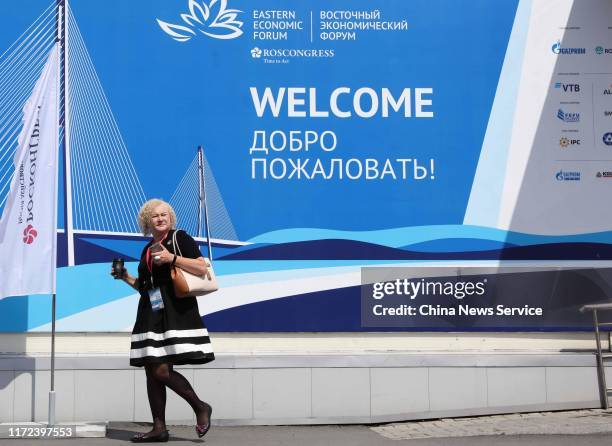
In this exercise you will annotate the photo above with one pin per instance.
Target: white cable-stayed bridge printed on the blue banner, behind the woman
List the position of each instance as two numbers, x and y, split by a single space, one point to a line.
102 192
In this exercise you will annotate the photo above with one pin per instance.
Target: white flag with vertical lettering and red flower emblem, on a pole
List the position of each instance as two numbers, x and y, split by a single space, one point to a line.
28 225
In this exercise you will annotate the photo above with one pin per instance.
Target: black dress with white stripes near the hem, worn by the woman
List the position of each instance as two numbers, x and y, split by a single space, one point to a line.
175 334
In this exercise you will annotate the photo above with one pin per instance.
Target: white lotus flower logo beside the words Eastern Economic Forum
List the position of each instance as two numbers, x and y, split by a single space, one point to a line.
213 20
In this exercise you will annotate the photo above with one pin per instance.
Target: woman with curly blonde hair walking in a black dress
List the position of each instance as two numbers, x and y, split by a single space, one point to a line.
168 330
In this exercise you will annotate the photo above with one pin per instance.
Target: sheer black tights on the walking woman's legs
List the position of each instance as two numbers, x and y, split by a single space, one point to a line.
158 377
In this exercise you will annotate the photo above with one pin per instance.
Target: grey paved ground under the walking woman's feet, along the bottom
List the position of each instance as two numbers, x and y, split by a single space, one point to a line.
587 427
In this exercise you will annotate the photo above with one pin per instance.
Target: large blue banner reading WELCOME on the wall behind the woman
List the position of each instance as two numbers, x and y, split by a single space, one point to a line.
336 135
